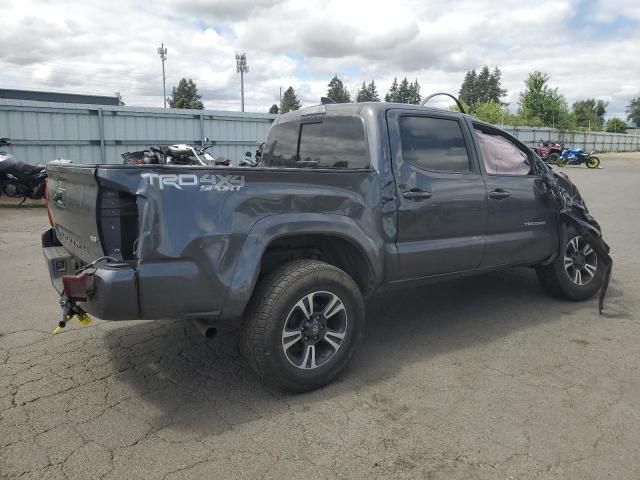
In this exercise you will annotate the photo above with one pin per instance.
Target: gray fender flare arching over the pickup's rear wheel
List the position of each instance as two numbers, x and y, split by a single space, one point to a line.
270 228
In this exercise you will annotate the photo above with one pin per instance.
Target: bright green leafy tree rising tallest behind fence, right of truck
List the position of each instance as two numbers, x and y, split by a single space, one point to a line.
542 105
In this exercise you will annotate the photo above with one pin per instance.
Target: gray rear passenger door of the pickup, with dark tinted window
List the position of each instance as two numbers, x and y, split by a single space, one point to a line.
442 204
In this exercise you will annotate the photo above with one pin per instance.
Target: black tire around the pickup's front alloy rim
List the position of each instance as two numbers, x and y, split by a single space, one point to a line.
560 282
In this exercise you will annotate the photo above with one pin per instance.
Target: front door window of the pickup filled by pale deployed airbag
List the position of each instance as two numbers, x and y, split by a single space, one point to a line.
501 156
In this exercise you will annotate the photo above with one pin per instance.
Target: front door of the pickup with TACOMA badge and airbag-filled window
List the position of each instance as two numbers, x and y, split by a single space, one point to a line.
523 222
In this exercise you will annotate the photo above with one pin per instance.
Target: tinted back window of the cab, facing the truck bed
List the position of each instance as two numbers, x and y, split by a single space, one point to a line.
331 142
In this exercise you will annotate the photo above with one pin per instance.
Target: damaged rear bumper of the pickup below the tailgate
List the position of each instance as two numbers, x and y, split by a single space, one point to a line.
116 296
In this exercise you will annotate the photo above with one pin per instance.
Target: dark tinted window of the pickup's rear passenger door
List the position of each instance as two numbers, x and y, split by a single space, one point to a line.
434 144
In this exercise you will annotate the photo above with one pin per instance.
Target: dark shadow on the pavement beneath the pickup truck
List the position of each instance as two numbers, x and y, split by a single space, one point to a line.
186 385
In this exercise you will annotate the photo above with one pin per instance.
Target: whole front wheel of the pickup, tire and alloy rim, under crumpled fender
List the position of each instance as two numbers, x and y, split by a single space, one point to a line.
576 274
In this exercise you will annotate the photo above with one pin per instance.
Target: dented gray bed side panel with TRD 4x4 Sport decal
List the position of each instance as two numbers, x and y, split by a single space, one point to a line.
190 237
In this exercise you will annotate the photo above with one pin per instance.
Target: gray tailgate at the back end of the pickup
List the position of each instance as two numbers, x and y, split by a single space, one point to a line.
72 194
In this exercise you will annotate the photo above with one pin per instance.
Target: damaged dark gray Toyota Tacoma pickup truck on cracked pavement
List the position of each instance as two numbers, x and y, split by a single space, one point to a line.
348 199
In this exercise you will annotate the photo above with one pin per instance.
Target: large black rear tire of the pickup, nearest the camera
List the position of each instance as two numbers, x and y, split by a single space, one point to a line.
273 308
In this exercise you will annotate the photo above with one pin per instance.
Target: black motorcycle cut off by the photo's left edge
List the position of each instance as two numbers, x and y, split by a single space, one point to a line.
19 179
